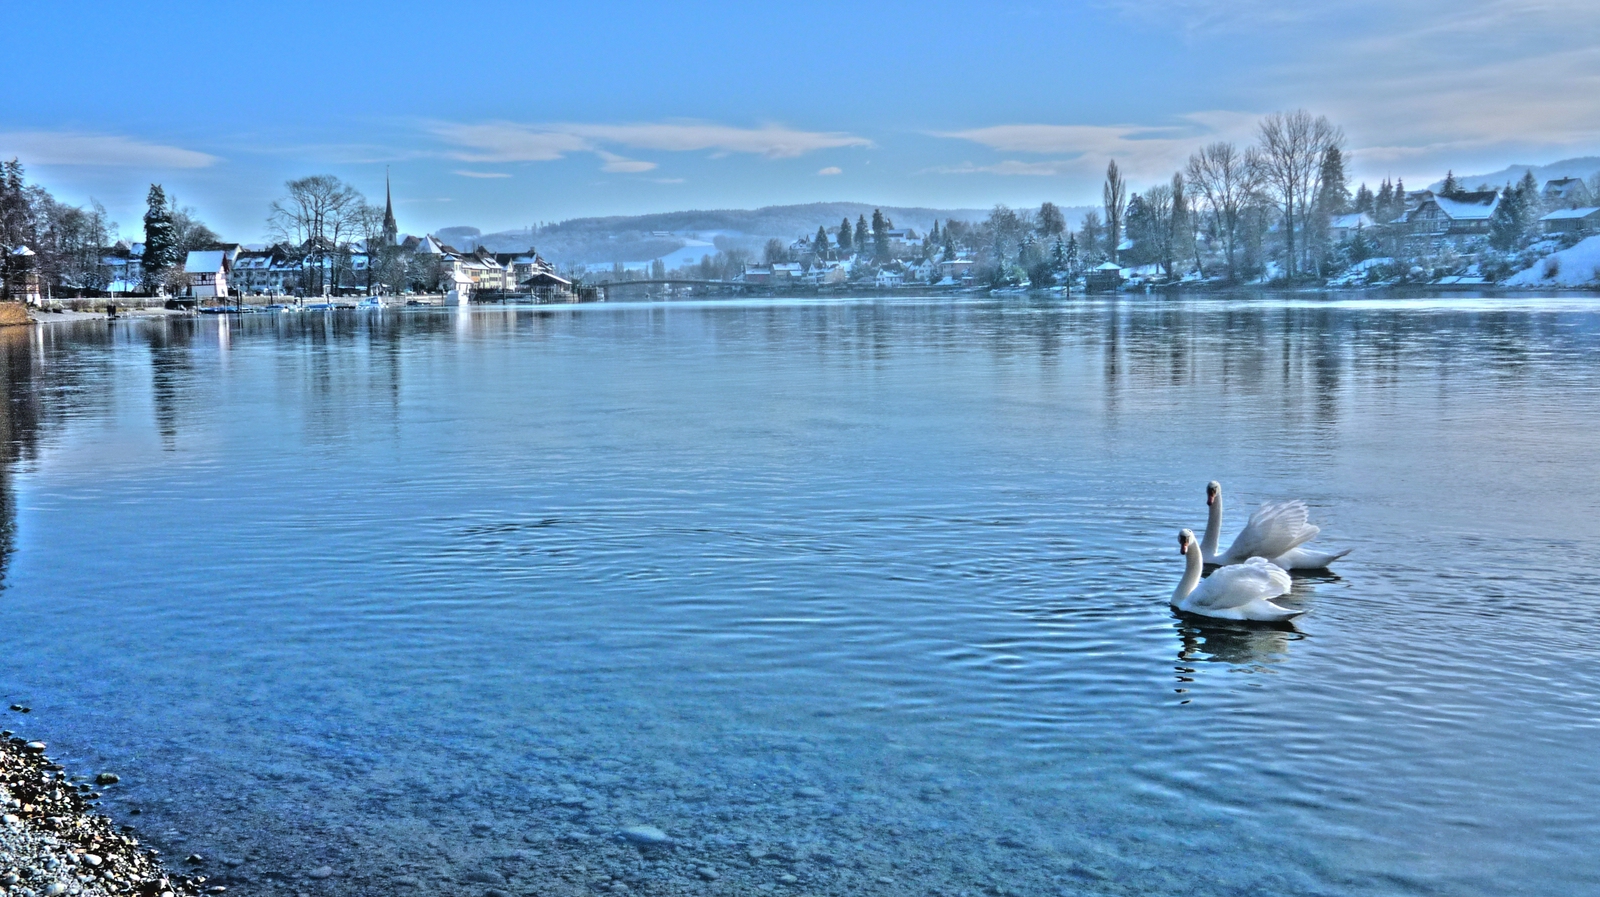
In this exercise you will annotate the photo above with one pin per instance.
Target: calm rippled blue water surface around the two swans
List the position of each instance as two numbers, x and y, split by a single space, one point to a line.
846 597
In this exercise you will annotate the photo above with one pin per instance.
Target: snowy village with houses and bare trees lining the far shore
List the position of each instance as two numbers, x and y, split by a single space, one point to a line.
1279 215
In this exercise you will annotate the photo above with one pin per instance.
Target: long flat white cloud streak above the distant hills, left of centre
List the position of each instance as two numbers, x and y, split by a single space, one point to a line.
511 142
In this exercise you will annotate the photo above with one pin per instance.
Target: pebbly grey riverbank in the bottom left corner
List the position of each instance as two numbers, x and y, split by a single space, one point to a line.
54 843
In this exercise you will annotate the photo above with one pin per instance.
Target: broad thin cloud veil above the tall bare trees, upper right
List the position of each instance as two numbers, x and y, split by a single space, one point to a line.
1418 86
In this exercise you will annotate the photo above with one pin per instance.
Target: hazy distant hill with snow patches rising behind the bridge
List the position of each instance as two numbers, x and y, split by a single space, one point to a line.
682 237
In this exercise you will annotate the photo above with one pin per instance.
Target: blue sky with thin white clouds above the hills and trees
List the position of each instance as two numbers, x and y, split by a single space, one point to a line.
502 116
